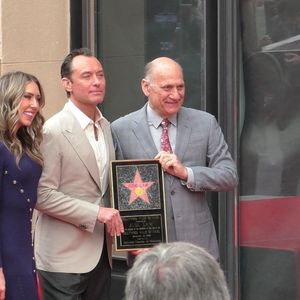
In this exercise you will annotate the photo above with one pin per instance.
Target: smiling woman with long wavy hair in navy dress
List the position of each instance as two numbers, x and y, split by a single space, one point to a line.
21 100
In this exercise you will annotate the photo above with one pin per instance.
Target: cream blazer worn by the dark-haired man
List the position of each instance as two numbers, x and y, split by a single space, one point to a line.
68 237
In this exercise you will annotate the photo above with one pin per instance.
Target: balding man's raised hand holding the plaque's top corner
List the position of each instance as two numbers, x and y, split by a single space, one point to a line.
172 165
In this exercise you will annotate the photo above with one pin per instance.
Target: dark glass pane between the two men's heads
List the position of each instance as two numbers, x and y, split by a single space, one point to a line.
122 44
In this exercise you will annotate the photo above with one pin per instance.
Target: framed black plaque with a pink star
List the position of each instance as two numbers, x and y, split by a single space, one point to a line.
138 193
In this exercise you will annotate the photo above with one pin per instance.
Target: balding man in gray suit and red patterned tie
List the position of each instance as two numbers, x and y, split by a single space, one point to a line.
198 160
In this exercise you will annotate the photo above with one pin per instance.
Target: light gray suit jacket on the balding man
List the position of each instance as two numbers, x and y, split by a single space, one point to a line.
200 145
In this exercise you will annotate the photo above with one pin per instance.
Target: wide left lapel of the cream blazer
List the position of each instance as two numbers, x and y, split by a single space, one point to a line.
80 144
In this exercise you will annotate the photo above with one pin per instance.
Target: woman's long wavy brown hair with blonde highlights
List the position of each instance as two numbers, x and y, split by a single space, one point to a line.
25 139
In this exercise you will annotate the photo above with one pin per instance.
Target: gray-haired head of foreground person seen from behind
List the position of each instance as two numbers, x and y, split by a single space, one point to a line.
177 271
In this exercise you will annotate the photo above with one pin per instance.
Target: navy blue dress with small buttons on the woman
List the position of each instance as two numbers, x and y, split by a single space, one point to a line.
18 195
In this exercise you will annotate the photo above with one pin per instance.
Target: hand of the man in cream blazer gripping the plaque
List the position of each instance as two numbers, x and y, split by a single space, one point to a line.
112 219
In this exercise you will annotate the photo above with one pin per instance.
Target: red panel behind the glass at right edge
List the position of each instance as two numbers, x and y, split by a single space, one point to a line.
273 223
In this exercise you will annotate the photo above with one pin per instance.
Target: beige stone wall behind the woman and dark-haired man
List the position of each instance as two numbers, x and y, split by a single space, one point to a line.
34 38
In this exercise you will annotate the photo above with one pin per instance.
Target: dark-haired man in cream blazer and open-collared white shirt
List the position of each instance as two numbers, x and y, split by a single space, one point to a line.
75 224
